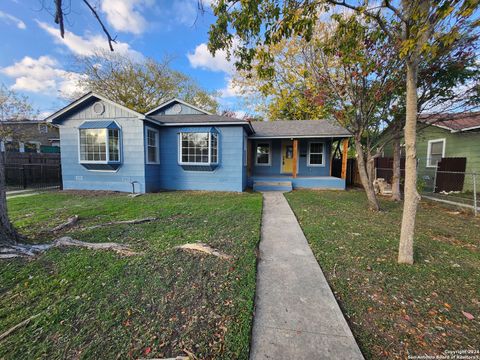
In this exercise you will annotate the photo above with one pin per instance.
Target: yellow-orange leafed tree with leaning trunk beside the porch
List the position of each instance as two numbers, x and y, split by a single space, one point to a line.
346 72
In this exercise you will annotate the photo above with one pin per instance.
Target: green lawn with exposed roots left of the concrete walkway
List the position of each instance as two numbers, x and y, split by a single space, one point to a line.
100 305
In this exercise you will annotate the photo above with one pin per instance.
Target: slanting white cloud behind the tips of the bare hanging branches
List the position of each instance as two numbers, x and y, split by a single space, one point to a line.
88 45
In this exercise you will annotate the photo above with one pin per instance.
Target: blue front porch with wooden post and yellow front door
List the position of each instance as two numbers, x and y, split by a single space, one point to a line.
292 163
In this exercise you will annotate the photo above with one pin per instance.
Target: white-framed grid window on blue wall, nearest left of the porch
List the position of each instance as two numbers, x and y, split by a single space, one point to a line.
199 148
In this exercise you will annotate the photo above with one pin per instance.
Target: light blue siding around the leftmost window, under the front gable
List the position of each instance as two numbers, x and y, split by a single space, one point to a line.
76 177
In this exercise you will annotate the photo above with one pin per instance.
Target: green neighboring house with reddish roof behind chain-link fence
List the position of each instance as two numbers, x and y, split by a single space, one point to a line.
447 136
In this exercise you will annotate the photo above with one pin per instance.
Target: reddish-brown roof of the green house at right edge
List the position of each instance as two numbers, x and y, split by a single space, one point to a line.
455 122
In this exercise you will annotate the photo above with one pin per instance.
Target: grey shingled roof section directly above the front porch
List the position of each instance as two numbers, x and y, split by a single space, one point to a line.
298 128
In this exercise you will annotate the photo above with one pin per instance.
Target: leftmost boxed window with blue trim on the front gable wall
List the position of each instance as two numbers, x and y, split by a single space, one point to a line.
100 145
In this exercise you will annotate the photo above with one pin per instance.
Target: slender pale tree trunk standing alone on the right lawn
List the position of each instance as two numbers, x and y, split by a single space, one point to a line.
405 251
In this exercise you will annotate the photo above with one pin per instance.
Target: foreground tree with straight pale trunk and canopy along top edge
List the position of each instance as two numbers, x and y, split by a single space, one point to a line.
415 29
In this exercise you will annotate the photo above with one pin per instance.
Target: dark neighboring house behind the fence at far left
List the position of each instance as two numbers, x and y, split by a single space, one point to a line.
29 136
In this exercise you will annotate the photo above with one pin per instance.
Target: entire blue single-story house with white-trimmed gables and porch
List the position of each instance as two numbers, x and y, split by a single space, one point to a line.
177 146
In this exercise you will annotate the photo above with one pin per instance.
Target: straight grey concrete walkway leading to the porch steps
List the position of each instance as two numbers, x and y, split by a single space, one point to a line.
296 314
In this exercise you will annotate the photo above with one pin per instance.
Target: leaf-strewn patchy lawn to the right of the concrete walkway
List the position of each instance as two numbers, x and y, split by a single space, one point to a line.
395 309
